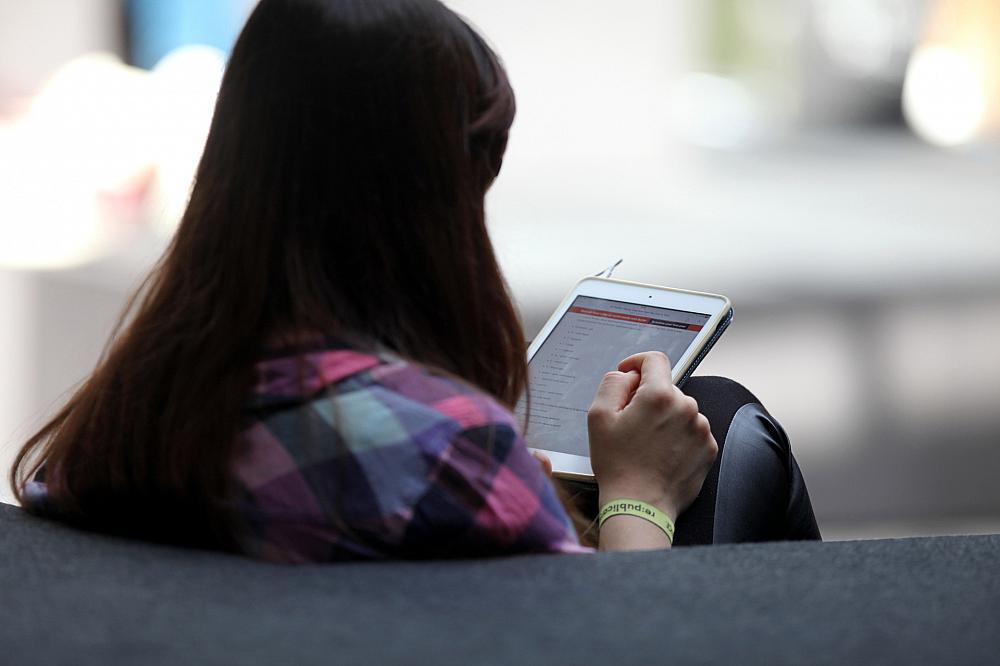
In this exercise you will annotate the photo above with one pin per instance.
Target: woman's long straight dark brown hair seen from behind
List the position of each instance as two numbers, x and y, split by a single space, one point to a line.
340 192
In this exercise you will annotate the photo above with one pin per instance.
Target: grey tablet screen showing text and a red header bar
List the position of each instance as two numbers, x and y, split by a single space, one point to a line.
592 337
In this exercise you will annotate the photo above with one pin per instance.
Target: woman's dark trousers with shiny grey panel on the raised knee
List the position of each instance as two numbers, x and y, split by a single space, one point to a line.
754 491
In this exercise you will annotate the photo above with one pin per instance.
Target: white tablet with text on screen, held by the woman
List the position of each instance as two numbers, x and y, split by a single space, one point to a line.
601 322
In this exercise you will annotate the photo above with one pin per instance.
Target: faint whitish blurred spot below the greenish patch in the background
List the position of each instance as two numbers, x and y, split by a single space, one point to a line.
714 112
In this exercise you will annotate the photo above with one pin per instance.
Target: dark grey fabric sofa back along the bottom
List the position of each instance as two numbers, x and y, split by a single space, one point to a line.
72 597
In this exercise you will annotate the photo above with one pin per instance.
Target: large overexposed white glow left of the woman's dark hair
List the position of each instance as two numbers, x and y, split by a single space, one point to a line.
77 169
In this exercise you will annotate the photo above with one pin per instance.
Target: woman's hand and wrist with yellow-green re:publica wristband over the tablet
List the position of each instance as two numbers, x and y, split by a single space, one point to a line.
647 441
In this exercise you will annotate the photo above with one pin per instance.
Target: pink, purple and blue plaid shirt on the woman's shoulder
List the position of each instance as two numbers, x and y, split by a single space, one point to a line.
351 455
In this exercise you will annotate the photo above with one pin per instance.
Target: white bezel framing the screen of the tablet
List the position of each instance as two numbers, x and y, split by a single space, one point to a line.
716 306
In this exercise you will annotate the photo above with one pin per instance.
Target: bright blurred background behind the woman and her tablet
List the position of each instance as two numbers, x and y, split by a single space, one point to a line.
833 166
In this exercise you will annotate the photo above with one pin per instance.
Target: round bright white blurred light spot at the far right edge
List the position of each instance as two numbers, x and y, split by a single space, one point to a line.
944 99
